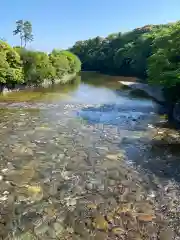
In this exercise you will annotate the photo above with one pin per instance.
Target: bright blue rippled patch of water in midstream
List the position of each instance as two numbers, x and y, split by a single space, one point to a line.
116 114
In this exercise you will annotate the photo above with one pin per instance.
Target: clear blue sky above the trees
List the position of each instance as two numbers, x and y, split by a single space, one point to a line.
60 23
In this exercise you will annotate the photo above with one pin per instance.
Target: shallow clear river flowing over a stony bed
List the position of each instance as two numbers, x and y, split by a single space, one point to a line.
87 160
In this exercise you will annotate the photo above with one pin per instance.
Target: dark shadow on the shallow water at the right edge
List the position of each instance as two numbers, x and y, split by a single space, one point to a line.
158 158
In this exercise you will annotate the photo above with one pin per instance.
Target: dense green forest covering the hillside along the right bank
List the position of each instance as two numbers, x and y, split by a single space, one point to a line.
151 53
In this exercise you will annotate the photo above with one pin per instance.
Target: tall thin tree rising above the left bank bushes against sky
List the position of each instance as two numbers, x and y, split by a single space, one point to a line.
24 29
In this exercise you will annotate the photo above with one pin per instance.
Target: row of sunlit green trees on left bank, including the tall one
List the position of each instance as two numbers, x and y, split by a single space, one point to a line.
19 65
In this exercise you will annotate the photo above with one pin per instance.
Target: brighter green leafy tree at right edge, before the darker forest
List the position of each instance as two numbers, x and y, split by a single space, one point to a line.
164 63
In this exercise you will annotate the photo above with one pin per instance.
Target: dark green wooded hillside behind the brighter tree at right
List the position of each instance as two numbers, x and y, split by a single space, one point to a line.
123 54
